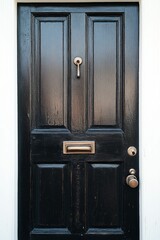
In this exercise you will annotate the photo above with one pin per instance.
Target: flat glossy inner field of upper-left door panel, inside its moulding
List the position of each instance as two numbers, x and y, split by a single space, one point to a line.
52 73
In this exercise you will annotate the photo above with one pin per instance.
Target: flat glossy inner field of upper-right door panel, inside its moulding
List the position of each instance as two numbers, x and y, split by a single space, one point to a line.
104 73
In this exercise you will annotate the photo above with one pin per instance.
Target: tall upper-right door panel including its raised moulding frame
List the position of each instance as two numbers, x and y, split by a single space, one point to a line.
105 52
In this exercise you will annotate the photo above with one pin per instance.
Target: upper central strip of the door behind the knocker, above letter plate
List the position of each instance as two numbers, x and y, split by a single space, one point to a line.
78 102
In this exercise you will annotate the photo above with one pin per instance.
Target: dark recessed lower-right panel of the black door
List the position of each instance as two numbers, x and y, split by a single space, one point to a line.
105 196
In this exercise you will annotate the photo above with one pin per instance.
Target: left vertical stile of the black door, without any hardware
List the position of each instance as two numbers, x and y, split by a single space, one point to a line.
24 121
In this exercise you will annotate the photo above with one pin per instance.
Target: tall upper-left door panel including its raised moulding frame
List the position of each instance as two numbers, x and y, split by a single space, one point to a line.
49 89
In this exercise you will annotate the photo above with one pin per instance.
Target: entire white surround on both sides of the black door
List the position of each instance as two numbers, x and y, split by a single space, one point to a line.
149 119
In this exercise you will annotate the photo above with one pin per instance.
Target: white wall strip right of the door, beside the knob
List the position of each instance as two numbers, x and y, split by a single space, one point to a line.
150 119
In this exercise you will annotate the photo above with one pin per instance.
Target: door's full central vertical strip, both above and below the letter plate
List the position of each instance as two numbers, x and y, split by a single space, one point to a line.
78 119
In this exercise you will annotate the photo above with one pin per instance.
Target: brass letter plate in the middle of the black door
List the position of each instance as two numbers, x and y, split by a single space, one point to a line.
79 147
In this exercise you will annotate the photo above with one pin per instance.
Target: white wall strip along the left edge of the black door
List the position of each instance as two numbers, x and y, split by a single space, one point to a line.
8 121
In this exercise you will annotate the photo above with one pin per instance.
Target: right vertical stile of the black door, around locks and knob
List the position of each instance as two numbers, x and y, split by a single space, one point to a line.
130 124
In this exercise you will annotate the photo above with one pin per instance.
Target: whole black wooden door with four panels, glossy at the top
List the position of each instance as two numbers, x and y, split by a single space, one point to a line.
77 195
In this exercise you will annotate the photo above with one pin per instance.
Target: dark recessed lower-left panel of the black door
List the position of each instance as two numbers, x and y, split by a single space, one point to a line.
51 185
